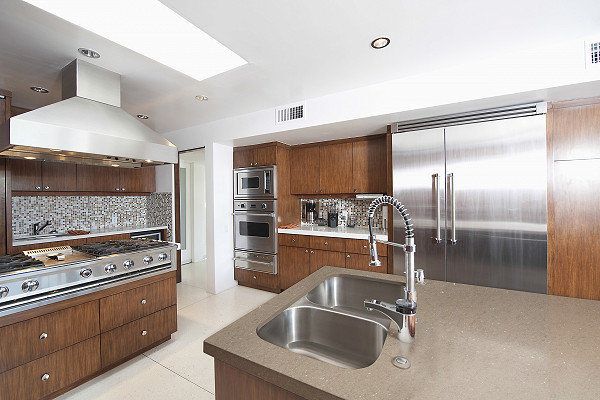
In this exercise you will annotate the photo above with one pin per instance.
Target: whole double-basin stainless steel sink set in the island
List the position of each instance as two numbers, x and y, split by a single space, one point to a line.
331 324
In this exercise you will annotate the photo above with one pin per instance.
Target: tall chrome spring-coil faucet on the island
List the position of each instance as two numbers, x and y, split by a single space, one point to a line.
404 310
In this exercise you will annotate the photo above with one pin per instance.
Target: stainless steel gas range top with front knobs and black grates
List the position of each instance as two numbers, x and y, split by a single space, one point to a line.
42 276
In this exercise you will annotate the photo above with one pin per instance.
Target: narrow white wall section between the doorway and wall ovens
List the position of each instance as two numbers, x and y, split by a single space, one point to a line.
219 221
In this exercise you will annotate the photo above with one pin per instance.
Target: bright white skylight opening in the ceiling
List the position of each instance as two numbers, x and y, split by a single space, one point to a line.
150 28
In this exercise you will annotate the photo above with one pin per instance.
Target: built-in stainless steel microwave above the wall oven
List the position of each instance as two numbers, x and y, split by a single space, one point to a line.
255 183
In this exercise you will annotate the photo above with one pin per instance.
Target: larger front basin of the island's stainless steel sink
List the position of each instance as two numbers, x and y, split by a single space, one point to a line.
327 335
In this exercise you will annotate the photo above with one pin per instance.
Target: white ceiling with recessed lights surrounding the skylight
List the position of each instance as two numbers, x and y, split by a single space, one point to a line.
295 50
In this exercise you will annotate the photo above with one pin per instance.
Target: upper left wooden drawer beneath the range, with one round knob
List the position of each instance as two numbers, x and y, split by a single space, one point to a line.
37 337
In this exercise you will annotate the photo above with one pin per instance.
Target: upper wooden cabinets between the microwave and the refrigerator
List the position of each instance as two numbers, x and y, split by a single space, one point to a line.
340 168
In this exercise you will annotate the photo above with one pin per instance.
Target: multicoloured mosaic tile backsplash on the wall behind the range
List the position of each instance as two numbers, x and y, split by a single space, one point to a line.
90 212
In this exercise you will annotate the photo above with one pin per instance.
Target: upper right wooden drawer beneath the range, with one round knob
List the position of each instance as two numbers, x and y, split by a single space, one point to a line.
124 307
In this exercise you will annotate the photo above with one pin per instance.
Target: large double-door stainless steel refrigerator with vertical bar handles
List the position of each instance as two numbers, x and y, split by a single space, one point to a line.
477 196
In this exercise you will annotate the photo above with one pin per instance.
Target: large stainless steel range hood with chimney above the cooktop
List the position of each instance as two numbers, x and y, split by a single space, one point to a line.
87 126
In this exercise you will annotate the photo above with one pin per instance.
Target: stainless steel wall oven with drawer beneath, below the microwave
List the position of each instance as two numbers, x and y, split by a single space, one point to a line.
255 235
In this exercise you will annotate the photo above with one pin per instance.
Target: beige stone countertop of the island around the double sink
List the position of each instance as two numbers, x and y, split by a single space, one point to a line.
471 342
